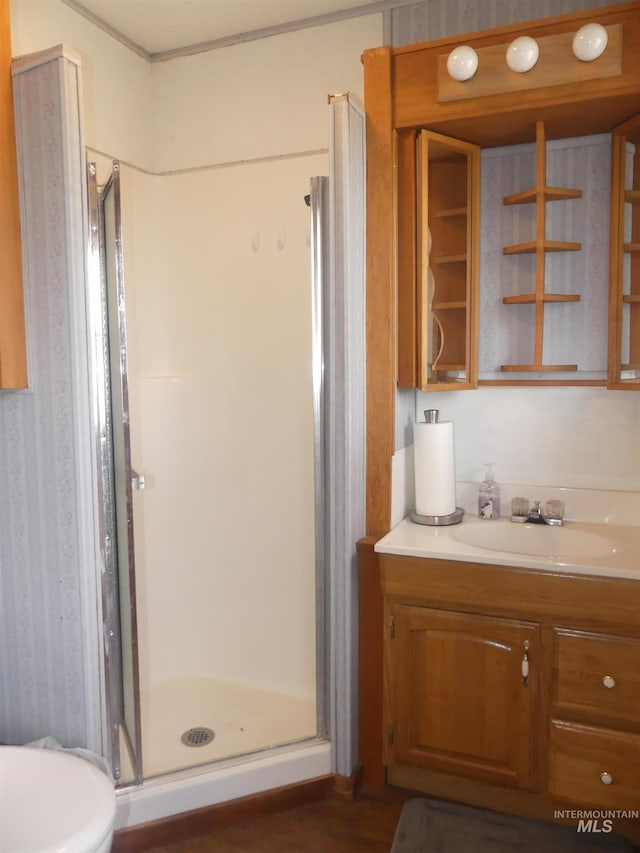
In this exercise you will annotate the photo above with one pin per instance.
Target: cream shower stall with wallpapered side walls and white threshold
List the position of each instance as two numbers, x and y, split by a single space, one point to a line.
184 599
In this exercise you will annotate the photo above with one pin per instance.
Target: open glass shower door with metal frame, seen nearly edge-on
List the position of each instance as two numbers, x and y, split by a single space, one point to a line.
118 481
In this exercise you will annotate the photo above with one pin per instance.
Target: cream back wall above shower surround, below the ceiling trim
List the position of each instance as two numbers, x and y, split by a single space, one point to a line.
262 98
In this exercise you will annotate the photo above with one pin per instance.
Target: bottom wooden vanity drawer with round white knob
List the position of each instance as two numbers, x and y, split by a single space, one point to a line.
596 767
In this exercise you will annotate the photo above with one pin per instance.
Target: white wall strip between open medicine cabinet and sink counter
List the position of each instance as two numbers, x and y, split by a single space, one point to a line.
585 438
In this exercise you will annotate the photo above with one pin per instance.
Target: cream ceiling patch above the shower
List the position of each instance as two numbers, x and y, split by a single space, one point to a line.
158 26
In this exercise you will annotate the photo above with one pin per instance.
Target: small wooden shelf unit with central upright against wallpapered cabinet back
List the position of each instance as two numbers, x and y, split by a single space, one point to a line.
540 195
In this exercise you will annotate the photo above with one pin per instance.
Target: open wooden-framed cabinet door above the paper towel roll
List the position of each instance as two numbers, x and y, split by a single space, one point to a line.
447 245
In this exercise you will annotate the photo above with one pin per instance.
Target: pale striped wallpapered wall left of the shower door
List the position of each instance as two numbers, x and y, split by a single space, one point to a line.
49 679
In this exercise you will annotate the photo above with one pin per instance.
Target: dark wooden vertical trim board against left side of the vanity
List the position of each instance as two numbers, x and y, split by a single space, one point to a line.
370 663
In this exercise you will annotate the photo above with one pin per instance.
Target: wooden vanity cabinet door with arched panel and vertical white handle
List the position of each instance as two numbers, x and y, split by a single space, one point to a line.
461 692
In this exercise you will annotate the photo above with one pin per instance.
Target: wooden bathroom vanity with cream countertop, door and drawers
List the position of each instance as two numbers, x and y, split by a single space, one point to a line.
512 681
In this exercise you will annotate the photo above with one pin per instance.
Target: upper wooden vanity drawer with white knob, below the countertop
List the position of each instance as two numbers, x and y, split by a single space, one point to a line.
597 674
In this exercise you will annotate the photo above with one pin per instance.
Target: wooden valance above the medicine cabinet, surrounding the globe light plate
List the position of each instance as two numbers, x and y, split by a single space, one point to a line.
568 109
